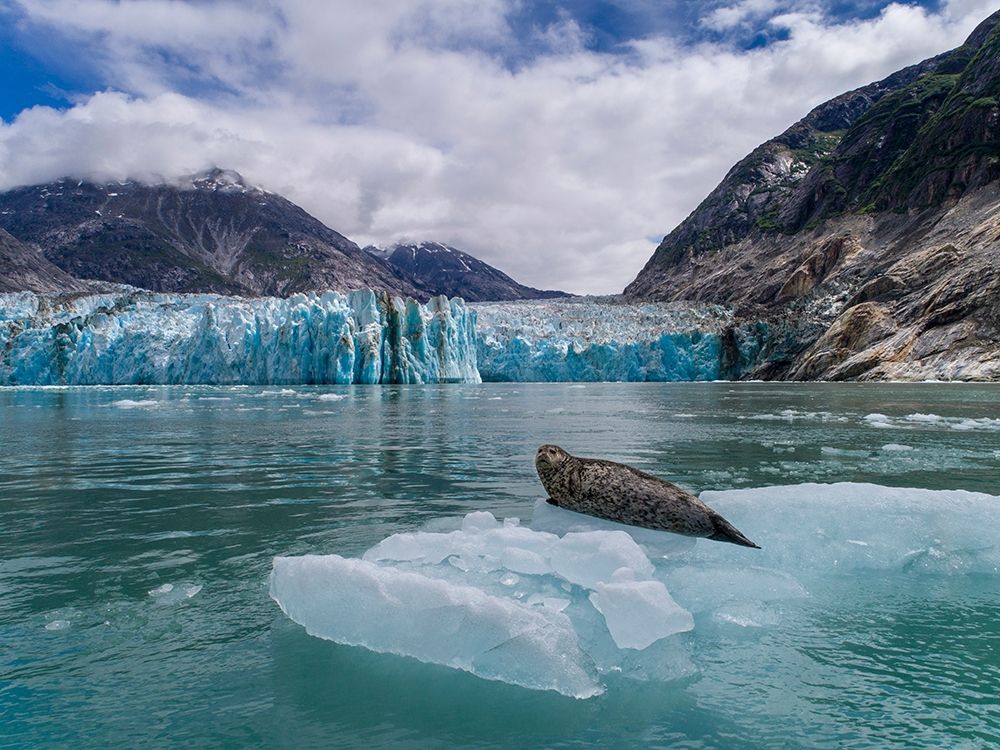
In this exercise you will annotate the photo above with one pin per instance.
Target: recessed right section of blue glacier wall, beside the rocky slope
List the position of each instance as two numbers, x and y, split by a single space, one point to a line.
586 339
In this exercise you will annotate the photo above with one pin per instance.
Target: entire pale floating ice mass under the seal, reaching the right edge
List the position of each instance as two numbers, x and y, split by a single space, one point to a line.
570 603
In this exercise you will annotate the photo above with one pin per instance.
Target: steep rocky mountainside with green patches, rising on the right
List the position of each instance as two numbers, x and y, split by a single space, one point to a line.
866 237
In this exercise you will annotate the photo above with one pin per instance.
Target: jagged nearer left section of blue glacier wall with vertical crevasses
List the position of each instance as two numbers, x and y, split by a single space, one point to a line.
135 337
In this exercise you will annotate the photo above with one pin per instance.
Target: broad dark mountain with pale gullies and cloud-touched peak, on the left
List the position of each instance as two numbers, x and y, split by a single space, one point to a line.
209 233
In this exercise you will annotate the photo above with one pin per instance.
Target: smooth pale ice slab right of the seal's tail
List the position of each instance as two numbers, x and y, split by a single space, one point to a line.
813 529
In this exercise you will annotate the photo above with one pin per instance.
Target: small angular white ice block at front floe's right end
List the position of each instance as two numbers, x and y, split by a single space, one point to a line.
639 613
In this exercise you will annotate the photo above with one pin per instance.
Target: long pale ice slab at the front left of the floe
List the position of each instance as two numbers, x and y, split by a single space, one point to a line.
359 603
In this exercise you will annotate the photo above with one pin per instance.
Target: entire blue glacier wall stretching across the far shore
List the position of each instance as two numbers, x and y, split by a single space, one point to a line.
131 337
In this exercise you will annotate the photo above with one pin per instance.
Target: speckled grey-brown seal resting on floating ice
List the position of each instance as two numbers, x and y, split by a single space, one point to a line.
617 492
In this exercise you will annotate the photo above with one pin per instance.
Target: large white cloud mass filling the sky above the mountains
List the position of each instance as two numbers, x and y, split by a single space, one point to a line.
405 118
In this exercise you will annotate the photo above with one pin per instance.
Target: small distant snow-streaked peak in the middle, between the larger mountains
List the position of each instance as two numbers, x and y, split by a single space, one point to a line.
440 269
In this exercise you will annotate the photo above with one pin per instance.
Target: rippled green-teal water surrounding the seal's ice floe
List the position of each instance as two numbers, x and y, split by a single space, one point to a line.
139 525
